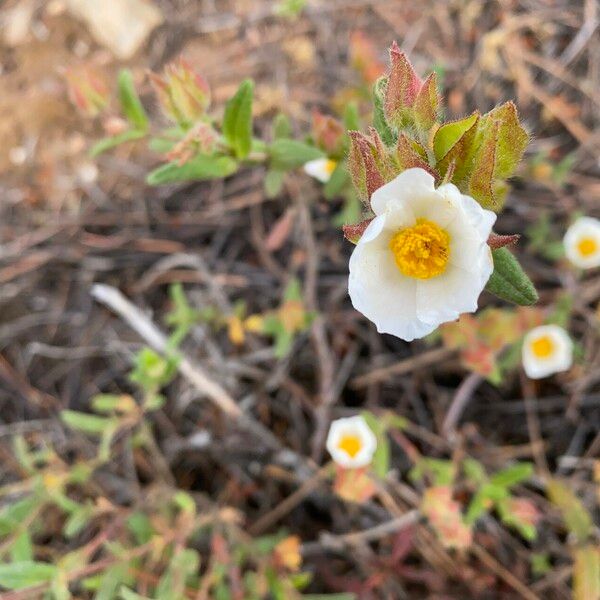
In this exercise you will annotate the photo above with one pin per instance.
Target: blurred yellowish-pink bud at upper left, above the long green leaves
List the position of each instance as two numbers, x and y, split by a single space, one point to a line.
183 94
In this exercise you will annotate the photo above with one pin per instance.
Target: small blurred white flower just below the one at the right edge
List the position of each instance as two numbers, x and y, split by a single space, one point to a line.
546 350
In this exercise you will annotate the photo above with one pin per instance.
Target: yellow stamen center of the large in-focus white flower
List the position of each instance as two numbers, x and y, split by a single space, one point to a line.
421 251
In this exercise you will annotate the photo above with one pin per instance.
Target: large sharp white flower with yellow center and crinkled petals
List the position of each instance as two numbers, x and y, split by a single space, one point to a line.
424 258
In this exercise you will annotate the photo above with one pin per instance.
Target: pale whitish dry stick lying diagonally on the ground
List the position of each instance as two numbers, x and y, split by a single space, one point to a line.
146 329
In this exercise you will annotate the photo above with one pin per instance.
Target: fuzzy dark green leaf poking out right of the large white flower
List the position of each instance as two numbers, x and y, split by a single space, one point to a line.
509 281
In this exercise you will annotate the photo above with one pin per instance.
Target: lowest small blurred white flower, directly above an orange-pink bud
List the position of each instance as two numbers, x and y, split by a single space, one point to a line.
351 442
